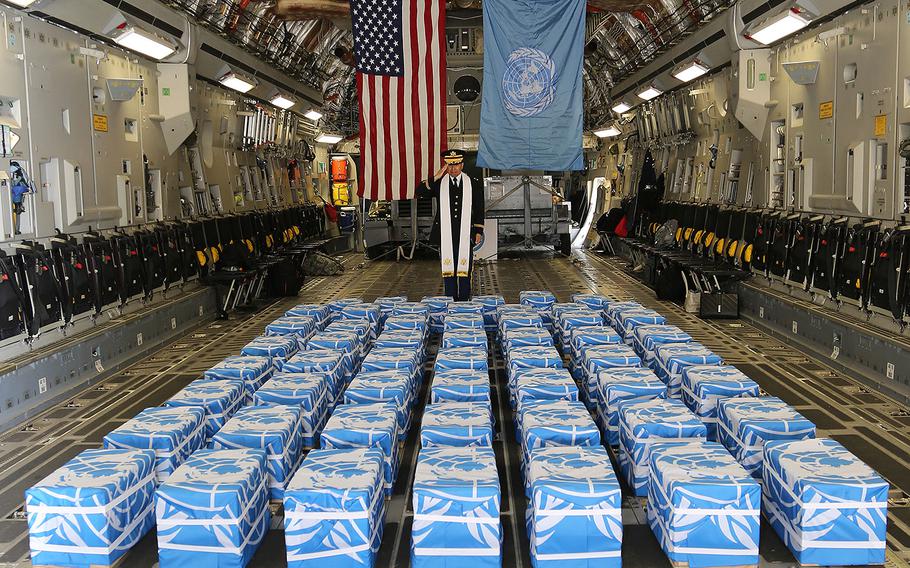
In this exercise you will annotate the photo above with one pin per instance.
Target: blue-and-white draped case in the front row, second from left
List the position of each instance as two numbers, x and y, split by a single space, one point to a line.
214 510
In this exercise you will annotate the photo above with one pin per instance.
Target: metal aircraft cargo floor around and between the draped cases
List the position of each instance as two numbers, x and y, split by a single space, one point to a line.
869 424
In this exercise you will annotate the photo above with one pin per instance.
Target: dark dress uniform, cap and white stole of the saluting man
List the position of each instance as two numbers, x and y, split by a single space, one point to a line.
459 218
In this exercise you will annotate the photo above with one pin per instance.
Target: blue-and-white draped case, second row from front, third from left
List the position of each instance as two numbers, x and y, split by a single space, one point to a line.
366 426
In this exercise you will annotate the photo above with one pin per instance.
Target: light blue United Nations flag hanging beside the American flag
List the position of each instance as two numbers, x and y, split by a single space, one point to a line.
531 113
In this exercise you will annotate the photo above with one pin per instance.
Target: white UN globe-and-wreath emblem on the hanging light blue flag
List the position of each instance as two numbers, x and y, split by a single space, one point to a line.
529 82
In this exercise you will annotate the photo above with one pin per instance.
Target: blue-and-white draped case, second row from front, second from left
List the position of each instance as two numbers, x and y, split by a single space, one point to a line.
274 429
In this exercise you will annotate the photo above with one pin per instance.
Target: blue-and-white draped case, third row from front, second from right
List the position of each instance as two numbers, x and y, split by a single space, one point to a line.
623 384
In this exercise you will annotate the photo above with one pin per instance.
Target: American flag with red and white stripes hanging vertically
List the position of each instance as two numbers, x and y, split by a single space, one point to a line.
399 47
